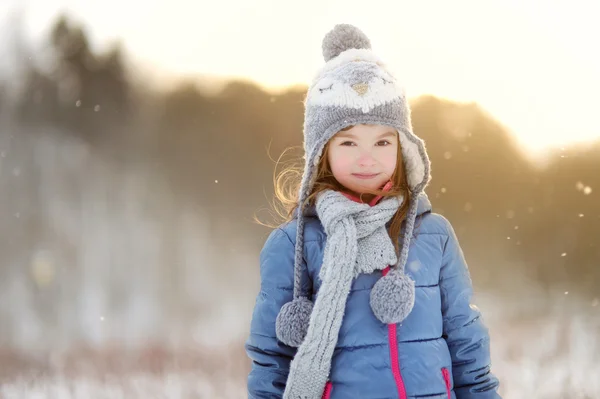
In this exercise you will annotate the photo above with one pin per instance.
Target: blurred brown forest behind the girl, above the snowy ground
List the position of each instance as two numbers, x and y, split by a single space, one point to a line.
128 211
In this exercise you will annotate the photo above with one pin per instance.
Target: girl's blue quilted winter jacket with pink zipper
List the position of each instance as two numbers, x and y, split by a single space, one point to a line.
441 350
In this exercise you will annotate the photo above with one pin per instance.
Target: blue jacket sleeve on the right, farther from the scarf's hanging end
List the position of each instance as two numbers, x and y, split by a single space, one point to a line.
464 330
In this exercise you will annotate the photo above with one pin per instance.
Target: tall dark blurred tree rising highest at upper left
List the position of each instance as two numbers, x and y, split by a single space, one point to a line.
86 93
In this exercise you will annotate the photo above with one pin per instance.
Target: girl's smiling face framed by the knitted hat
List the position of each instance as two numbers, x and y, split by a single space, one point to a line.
363 157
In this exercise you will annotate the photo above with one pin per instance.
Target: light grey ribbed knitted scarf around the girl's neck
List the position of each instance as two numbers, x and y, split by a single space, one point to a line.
357 242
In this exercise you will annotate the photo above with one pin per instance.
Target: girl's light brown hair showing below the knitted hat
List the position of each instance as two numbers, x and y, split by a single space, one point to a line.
287 185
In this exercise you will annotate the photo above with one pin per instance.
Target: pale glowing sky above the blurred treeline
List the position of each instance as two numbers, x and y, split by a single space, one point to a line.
531 64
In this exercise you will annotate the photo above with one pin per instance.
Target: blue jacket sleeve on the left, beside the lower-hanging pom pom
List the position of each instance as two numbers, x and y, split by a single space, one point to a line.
270 357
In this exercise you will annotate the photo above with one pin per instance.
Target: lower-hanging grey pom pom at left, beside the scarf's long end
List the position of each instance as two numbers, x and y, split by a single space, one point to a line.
292 321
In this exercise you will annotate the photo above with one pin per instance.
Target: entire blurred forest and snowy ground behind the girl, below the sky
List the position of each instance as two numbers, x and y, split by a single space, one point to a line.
130 256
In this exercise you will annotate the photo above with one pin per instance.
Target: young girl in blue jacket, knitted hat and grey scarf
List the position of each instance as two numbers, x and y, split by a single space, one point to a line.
365 292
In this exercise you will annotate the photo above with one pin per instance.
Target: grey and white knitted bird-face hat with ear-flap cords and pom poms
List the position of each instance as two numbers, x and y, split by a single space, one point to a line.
354 87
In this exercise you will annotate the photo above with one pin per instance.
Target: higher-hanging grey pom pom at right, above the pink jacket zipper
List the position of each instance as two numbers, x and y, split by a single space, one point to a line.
393 297
